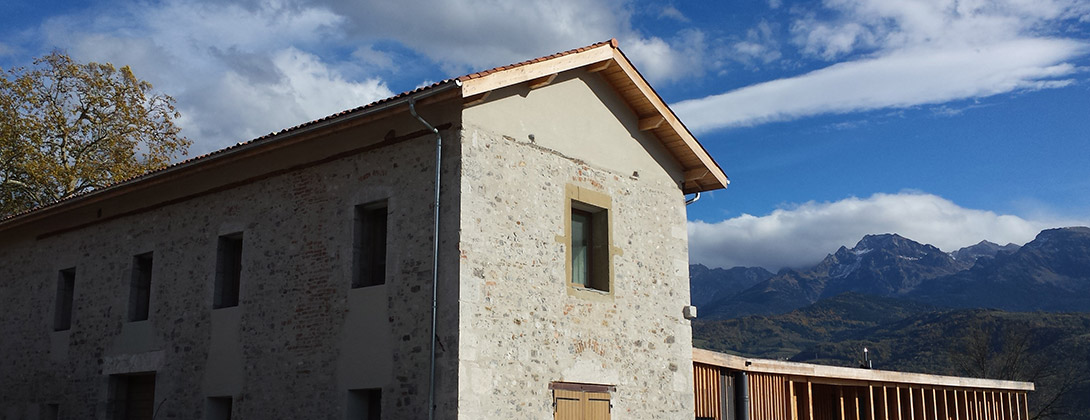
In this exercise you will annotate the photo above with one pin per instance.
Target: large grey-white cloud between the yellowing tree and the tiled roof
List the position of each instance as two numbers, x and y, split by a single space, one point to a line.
238 73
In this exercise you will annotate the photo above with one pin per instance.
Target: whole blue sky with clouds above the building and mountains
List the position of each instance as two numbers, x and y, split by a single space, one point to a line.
946 122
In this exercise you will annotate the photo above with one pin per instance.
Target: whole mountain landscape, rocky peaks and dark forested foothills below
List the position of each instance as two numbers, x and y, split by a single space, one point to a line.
984 311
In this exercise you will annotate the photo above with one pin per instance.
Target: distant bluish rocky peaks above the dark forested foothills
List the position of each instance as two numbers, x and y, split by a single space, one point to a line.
1051 273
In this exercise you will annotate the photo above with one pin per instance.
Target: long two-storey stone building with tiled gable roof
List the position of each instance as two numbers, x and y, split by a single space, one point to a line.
292 277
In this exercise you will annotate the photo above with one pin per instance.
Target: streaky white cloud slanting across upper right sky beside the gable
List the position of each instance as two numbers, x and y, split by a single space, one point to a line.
906 54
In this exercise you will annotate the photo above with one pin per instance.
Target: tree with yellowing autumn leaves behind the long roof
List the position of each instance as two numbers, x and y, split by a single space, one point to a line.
68 128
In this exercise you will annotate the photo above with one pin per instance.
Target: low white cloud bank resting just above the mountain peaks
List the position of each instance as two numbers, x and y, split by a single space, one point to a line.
801 236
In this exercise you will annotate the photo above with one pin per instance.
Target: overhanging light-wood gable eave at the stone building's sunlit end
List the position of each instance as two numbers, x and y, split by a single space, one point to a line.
701 172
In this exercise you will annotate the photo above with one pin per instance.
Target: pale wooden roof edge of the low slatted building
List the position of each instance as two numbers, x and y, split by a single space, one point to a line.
850 376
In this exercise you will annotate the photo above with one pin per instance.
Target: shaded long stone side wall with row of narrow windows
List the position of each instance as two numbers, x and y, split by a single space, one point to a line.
300 338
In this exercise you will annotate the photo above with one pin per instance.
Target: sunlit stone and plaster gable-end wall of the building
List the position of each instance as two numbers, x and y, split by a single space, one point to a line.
520 328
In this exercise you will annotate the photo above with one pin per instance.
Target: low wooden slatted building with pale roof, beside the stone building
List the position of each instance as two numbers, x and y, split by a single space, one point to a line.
732 388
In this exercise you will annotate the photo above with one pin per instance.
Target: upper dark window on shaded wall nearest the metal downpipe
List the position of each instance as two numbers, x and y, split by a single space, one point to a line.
369 256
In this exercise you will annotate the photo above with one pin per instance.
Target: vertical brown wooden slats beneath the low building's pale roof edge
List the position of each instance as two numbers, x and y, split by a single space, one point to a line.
774 397
